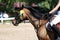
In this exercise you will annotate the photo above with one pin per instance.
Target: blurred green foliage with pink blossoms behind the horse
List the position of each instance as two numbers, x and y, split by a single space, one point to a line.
8 6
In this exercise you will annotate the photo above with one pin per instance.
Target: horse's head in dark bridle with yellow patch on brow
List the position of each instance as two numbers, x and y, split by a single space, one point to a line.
19 16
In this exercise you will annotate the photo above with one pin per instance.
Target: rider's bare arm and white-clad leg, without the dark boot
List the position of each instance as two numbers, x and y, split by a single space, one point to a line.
57 18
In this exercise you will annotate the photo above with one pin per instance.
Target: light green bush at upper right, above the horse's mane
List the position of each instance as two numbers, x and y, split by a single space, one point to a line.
49 4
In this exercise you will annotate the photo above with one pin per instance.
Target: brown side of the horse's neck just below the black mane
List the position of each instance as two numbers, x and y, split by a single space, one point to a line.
32 19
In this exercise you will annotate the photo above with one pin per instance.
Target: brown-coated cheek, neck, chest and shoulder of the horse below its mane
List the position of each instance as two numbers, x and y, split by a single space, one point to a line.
39 24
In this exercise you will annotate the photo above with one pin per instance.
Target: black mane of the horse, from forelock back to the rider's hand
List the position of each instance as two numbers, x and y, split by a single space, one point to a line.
37 11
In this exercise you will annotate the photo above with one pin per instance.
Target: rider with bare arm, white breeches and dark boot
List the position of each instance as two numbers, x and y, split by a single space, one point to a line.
56 20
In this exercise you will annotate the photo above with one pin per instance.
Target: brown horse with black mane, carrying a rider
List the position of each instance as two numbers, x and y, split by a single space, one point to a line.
37 19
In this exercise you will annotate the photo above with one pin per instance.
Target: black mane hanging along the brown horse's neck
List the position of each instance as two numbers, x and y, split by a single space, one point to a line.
37 12
